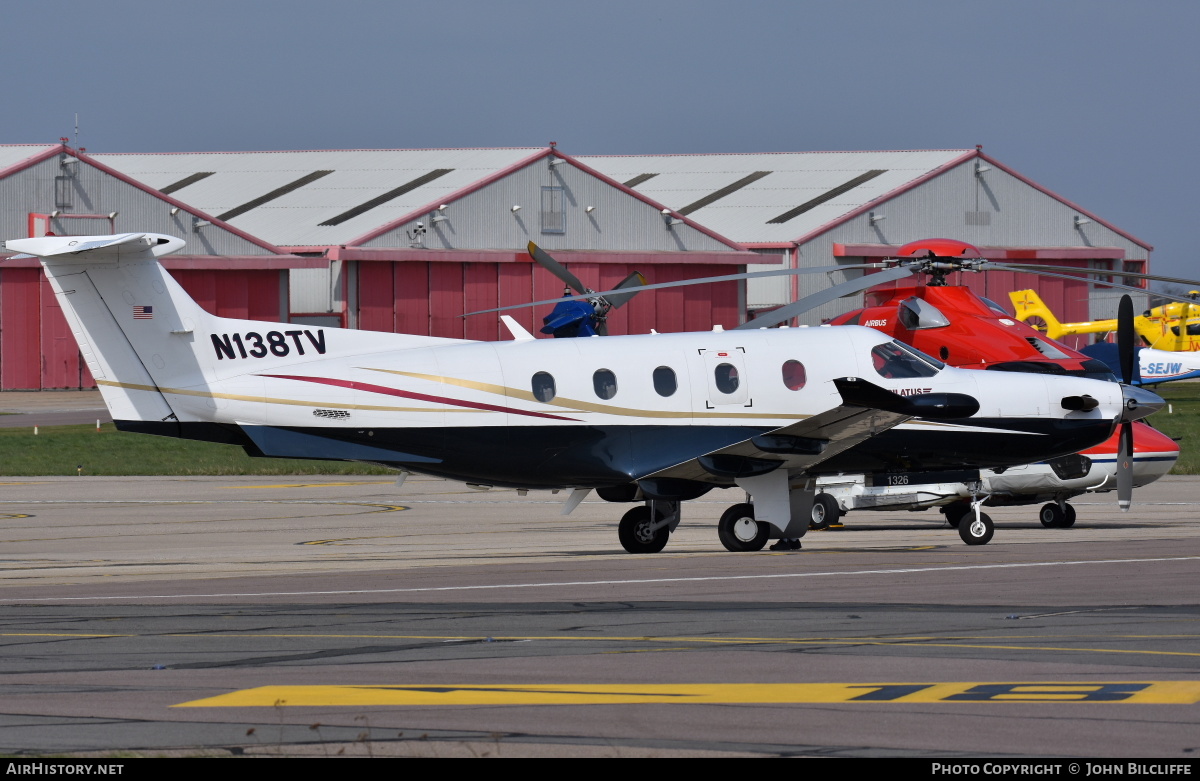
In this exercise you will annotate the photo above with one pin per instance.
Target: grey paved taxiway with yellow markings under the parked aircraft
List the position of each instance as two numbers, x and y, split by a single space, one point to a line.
292 616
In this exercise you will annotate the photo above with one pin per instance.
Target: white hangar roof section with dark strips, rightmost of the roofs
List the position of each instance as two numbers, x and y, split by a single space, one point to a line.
760 199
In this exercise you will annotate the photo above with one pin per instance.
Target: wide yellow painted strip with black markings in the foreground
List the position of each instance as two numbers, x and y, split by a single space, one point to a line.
1135 693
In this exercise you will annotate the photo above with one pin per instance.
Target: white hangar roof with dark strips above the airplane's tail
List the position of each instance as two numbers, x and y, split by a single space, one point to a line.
315 199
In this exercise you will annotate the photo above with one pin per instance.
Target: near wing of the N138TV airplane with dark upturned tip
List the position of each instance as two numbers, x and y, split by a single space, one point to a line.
866 412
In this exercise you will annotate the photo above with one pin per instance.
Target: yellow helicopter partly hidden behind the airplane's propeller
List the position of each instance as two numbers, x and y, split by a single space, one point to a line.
1173 327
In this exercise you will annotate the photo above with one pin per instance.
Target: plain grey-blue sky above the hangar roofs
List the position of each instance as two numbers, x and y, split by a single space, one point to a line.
1095 100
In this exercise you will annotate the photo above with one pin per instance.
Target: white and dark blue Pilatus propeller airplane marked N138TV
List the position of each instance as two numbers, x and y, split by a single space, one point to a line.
657 419
